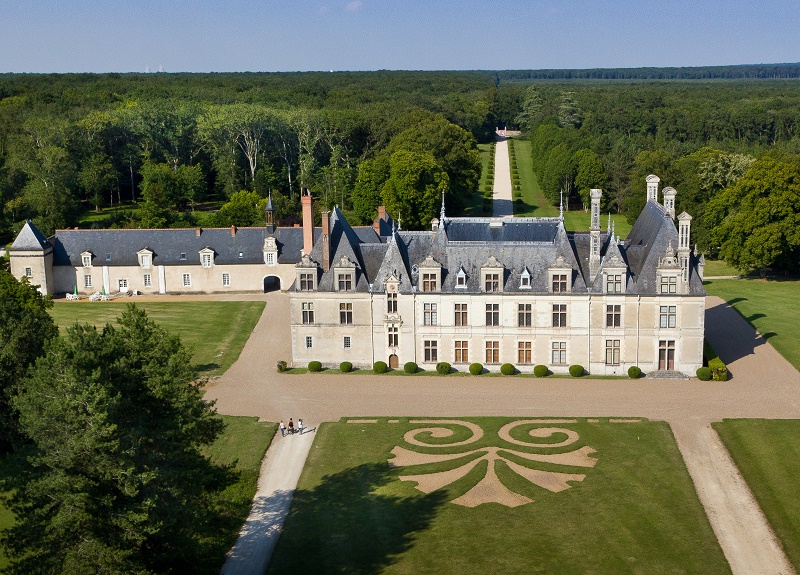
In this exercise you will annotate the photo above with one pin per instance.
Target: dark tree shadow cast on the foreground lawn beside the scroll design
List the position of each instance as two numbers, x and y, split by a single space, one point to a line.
343 526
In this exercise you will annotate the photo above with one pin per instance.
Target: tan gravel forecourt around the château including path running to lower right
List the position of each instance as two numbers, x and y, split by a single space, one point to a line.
763 384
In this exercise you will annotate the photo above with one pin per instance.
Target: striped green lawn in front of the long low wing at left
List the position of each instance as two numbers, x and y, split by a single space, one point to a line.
215 331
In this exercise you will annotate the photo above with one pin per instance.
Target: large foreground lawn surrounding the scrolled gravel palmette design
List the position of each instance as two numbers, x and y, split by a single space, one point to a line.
635 511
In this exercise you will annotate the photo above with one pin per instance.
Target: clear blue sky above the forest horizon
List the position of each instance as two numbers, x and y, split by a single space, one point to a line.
283 35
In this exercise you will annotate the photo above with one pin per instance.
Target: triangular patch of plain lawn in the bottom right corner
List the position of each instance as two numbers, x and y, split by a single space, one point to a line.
767 453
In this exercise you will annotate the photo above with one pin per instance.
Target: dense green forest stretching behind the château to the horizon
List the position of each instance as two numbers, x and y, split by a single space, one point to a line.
168 150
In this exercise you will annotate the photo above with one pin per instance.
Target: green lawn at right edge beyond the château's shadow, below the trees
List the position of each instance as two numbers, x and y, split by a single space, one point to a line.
767 305
